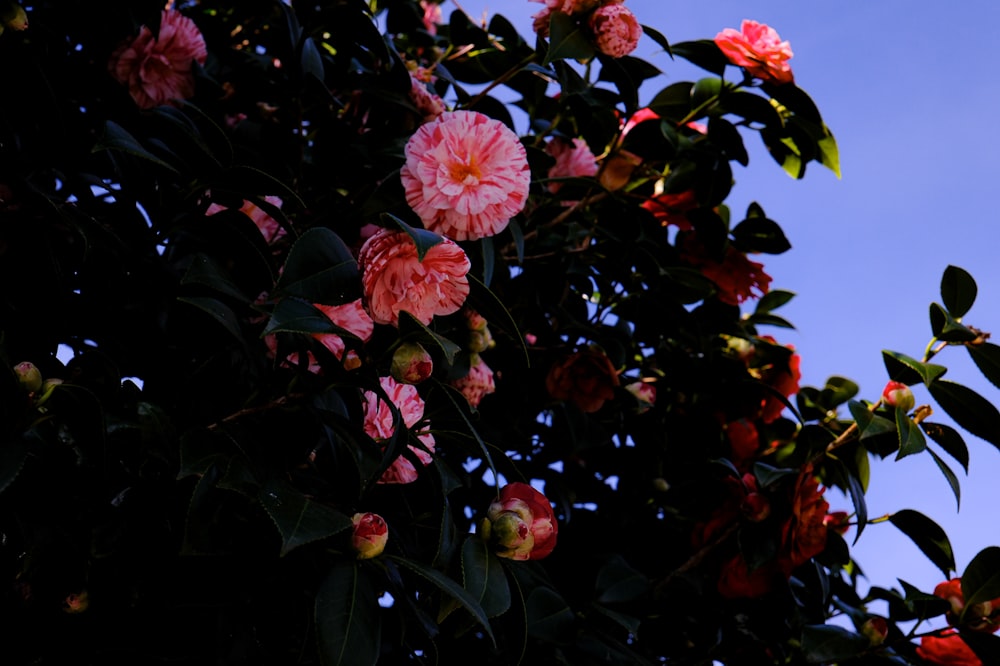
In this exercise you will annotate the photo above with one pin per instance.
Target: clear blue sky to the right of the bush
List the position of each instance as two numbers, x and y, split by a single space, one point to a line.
910 90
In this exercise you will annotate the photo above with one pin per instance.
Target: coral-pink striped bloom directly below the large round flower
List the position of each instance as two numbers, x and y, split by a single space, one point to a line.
393 279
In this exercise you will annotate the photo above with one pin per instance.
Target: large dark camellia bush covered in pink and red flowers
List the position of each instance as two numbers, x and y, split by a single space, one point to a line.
365 332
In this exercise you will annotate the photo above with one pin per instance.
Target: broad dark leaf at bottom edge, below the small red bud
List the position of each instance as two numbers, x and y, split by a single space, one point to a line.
348 625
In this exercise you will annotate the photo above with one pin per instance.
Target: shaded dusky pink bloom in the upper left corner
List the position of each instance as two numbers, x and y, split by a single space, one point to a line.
157 69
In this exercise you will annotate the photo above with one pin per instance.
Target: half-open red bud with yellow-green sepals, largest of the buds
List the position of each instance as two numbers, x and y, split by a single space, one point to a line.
521 523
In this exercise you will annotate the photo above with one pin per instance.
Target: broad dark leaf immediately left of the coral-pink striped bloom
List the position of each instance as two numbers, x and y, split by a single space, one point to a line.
320 268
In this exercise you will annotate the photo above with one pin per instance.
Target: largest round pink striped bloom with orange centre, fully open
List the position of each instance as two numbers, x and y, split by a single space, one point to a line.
465 175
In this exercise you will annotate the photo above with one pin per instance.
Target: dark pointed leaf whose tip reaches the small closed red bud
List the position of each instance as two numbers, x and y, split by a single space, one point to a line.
299 519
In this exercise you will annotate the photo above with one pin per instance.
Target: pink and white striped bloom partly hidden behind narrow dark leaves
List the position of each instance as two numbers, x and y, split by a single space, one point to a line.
378 426
